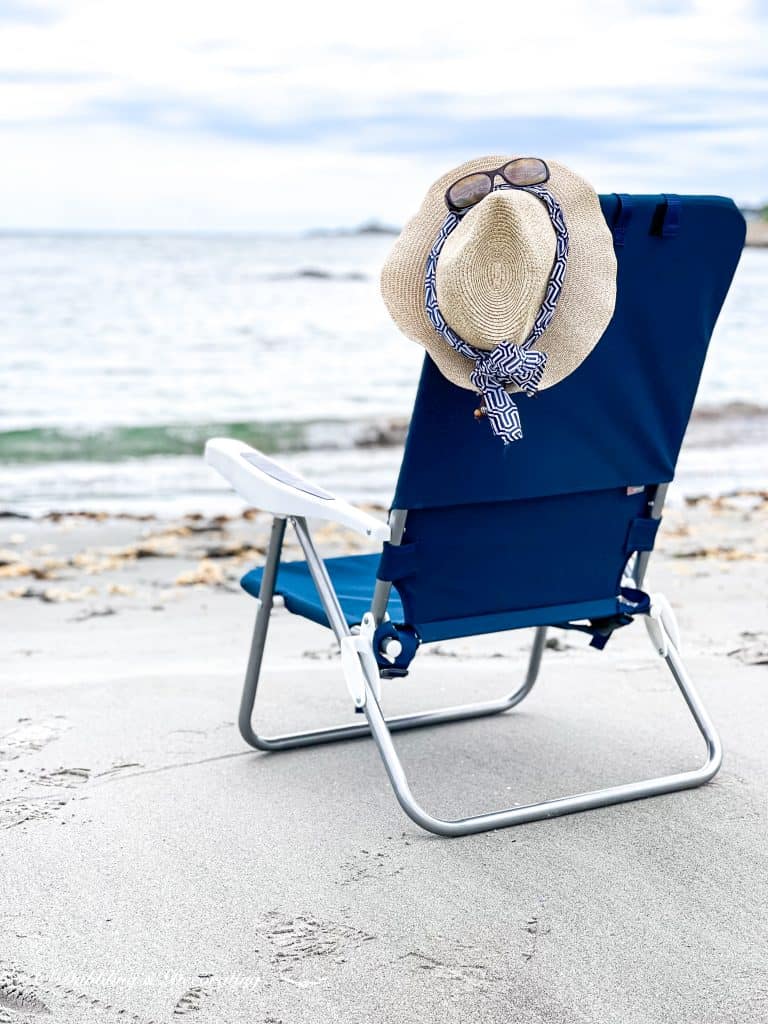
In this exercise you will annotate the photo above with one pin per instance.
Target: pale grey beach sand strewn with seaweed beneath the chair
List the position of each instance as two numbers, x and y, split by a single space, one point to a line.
153 867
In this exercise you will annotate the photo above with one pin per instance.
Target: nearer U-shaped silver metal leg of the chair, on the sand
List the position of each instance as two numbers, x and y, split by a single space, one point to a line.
564 805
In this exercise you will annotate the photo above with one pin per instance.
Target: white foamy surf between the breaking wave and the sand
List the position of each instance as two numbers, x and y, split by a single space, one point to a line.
722 454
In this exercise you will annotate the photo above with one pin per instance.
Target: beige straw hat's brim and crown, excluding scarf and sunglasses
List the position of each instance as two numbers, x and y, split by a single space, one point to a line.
494 269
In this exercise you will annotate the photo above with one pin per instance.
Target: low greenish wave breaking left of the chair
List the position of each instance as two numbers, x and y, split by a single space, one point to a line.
120 444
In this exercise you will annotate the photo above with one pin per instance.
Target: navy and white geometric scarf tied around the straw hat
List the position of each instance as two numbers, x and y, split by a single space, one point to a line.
506 363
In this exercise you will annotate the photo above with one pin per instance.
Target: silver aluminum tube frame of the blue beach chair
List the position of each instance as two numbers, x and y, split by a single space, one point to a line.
662 631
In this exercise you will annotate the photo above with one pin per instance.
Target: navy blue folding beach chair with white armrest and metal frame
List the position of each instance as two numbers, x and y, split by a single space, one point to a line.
553 531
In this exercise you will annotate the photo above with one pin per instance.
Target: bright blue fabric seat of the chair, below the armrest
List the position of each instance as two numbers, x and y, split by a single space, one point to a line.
354 578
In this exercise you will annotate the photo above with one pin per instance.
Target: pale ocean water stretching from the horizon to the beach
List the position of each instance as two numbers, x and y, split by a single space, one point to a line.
122 355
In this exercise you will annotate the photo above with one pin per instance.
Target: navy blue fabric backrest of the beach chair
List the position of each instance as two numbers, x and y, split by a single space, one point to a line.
548 523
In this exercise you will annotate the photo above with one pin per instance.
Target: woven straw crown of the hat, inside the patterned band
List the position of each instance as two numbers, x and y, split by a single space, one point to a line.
493 272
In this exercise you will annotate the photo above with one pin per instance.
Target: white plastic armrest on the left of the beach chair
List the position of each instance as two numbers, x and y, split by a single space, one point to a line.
269 486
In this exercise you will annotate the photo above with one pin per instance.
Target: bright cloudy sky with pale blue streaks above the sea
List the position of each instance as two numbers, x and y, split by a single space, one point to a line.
270 115
